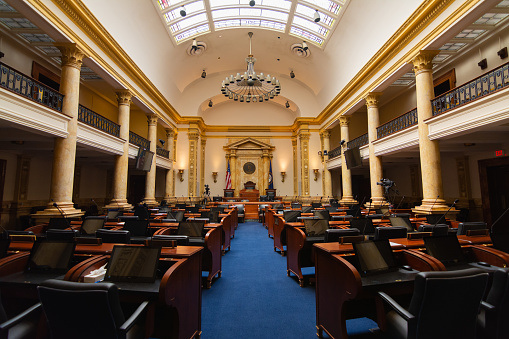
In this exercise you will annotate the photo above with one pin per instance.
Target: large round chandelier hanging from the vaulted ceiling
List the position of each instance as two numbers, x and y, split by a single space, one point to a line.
250 87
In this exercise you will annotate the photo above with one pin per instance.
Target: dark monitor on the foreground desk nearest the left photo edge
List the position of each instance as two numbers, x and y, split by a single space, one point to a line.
51 256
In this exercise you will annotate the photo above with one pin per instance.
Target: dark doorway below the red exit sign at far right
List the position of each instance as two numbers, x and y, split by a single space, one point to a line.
494 180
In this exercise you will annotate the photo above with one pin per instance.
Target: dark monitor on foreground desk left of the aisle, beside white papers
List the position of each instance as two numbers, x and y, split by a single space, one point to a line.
133 264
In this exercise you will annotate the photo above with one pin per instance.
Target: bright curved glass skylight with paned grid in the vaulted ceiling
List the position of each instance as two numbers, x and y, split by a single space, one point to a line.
293 17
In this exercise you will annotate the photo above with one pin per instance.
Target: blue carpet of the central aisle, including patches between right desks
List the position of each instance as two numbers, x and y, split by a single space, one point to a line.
255 298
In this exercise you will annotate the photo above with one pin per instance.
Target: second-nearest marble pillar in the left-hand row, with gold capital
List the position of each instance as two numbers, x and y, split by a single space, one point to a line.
120 175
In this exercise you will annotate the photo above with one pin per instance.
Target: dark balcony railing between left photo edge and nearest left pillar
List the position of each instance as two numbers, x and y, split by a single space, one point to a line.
30 88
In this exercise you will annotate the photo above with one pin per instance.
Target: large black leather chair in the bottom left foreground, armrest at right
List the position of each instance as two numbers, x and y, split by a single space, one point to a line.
96 311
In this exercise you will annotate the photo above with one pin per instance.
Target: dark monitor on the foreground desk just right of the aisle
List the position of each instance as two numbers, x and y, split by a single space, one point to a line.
374 256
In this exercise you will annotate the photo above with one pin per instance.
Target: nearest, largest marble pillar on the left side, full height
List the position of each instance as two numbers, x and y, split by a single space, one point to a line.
64 155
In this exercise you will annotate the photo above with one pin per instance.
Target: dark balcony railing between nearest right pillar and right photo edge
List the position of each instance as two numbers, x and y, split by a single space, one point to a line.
473 90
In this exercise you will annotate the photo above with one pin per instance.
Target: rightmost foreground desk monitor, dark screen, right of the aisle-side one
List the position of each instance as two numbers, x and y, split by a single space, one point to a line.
447 249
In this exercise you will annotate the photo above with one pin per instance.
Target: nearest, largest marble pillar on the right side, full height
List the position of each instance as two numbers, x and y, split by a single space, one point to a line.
429 150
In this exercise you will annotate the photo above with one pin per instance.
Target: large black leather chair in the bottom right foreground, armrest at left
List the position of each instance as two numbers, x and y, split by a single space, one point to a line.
444 304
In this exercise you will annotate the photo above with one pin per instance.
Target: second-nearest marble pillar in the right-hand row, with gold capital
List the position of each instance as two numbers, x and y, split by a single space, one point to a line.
375 163
